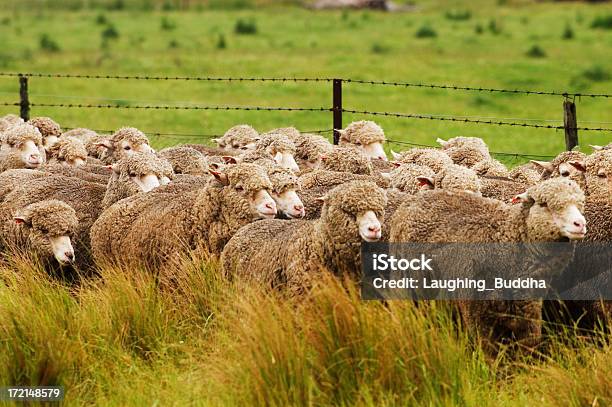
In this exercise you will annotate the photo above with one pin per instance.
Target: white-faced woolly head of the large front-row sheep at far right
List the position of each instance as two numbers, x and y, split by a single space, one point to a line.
555 211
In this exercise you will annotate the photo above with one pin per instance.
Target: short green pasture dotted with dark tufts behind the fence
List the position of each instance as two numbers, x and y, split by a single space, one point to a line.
489 47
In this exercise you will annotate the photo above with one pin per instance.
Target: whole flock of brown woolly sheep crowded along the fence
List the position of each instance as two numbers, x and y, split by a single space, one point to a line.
283 206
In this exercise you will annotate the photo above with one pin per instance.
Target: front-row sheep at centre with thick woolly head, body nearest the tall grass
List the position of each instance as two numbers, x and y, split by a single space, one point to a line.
280 253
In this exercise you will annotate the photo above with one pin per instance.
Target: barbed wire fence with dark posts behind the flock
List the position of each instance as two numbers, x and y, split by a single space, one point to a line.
570 126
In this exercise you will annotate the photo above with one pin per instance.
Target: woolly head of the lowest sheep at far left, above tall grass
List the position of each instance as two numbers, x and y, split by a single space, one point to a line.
50 225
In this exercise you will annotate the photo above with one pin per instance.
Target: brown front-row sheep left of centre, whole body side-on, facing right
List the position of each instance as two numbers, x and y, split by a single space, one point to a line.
158 228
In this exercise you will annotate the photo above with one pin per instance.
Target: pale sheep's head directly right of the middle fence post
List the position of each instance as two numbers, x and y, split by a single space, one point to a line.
366 136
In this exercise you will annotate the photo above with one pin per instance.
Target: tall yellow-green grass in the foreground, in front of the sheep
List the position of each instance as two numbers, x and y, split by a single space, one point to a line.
133 339
